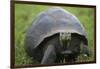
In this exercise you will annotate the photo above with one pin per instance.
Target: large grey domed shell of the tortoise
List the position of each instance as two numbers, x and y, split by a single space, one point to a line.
50 22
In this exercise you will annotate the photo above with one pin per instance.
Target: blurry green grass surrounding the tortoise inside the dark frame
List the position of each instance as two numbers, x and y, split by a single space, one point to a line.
24 15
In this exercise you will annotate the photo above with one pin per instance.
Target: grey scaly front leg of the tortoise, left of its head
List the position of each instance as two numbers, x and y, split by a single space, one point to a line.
49 55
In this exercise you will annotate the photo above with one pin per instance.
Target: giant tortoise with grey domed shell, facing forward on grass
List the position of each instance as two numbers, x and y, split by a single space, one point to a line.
56 36
